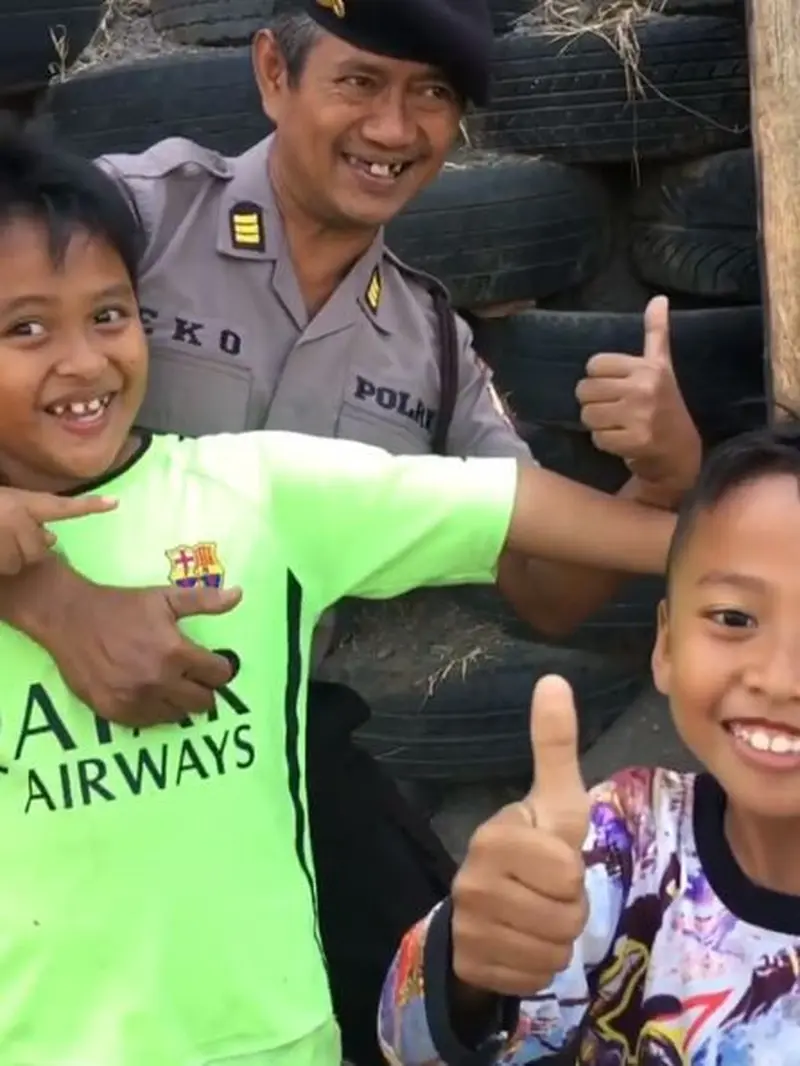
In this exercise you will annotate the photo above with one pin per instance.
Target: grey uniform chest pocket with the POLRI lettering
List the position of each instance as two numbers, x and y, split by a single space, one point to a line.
388 414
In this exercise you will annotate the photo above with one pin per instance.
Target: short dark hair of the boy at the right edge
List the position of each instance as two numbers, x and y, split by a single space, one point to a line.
763 454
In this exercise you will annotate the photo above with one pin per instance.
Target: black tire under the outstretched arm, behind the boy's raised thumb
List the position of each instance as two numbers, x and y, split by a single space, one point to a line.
473 726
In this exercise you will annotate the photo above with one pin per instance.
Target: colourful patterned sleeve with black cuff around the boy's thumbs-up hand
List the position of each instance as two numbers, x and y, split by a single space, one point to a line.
414 1024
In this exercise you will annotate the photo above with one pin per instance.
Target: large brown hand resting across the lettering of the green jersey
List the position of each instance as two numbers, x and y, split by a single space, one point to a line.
121 651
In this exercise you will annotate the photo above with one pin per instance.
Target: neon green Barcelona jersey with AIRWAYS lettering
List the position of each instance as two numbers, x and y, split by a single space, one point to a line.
157 898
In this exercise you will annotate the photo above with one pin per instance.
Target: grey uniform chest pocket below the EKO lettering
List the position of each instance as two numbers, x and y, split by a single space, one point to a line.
198 395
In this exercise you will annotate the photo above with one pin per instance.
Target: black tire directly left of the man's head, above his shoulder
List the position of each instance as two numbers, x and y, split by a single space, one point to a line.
210 98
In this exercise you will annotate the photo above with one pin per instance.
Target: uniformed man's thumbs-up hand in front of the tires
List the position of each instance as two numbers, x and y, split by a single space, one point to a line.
634 408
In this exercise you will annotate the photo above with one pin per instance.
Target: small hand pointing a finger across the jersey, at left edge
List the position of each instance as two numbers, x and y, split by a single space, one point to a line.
24 539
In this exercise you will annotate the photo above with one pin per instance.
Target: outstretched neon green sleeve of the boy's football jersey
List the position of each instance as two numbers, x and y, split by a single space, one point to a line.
355 521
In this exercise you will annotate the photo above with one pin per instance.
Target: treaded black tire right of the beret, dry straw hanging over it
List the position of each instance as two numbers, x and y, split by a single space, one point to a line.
570 101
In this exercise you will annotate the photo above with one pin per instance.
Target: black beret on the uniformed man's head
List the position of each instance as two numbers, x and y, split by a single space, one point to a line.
454 36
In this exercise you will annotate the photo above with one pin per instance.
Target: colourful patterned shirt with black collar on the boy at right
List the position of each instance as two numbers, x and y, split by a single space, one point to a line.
684 962
